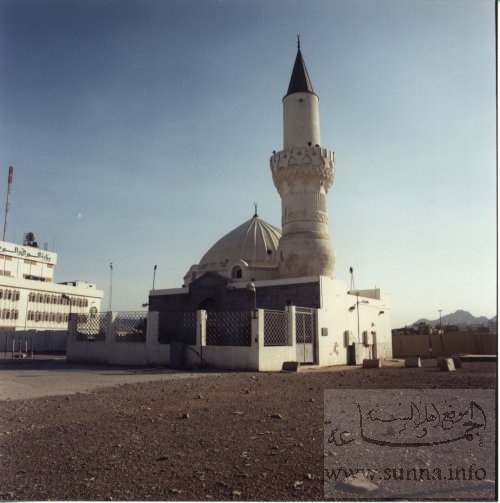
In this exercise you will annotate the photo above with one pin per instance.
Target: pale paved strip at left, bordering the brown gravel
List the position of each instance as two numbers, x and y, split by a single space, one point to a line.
22 379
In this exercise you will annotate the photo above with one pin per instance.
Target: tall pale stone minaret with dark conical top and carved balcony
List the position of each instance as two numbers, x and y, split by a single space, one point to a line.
303 173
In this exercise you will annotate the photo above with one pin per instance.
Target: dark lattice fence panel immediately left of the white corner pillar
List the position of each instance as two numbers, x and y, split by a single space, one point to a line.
229 328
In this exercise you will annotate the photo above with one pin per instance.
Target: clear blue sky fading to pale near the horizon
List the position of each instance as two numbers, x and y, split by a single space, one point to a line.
140 133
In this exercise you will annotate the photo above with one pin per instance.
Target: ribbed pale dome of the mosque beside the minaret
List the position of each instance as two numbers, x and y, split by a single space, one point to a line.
246 253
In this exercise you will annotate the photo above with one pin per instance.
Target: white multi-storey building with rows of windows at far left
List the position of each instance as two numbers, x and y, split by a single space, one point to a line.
29 298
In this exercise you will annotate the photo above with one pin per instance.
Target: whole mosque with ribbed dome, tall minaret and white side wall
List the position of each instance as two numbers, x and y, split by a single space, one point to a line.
258 267
